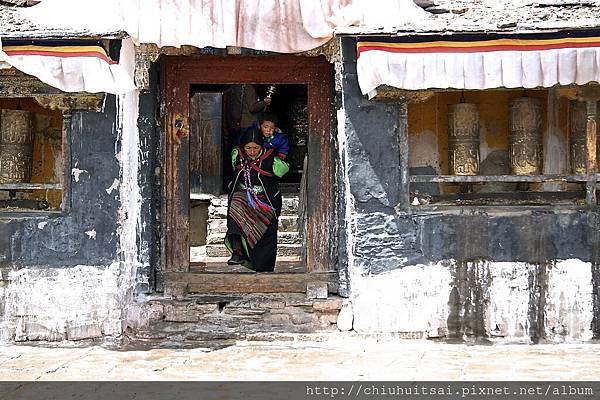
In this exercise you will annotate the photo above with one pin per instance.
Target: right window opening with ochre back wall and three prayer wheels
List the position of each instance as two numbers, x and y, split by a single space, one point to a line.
503 147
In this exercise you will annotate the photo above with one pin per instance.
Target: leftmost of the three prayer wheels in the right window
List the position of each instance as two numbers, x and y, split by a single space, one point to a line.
463 139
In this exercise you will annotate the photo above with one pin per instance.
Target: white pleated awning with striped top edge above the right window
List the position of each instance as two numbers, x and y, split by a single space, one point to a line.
478 64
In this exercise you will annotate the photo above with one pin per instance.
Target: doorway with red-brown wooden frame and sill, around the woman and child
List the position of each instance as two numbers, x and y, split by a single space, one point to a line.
198 139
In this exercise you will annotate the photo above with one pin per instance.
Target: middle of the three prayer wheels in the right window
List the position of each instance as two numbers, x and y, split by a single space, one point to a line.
525 136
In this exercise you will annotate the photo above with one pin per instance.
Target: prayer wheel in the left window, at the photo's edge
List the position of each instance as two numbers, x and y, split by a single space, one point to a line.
16 146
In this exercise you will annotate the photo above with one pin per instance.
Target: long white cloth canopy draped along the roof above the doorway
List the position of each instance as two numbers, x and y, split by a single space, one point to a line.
284 26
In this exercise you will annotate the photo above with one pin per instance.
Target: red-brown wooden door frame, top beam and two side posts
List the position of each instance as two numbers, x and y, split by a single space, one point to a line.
178 74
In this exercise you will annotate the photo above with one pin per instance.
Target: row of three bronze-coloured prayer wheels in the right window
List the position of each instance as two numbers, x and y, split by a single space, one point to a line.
524 137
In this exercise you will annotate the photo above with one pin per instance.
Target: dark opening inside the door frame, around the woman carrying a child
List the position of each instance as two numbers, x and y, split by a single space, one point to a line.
218 117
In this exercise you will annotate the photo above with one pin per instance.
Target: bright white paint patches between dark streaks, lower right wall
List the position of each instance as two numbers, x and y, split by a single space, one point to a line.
416 298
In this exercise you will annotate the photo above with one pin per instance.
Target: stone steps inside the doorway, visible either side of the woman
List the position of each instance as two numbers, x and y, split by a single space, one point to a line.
288 244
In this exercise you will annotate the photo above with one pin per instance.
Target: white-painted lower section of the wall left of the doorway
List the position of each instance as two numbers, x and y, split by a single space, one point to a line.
61 303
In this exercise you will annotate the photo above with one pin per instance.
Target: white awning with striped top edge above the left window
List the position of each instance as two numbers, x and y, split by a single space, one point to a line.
71 68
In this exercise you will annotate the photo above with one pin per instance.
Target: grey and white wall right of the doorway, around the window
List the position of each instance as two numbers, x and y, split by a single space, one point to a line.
513 273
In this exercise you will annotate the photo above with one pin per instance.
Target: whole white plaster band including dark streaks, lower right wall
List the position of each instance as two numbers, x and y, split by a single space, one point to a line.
479 299
